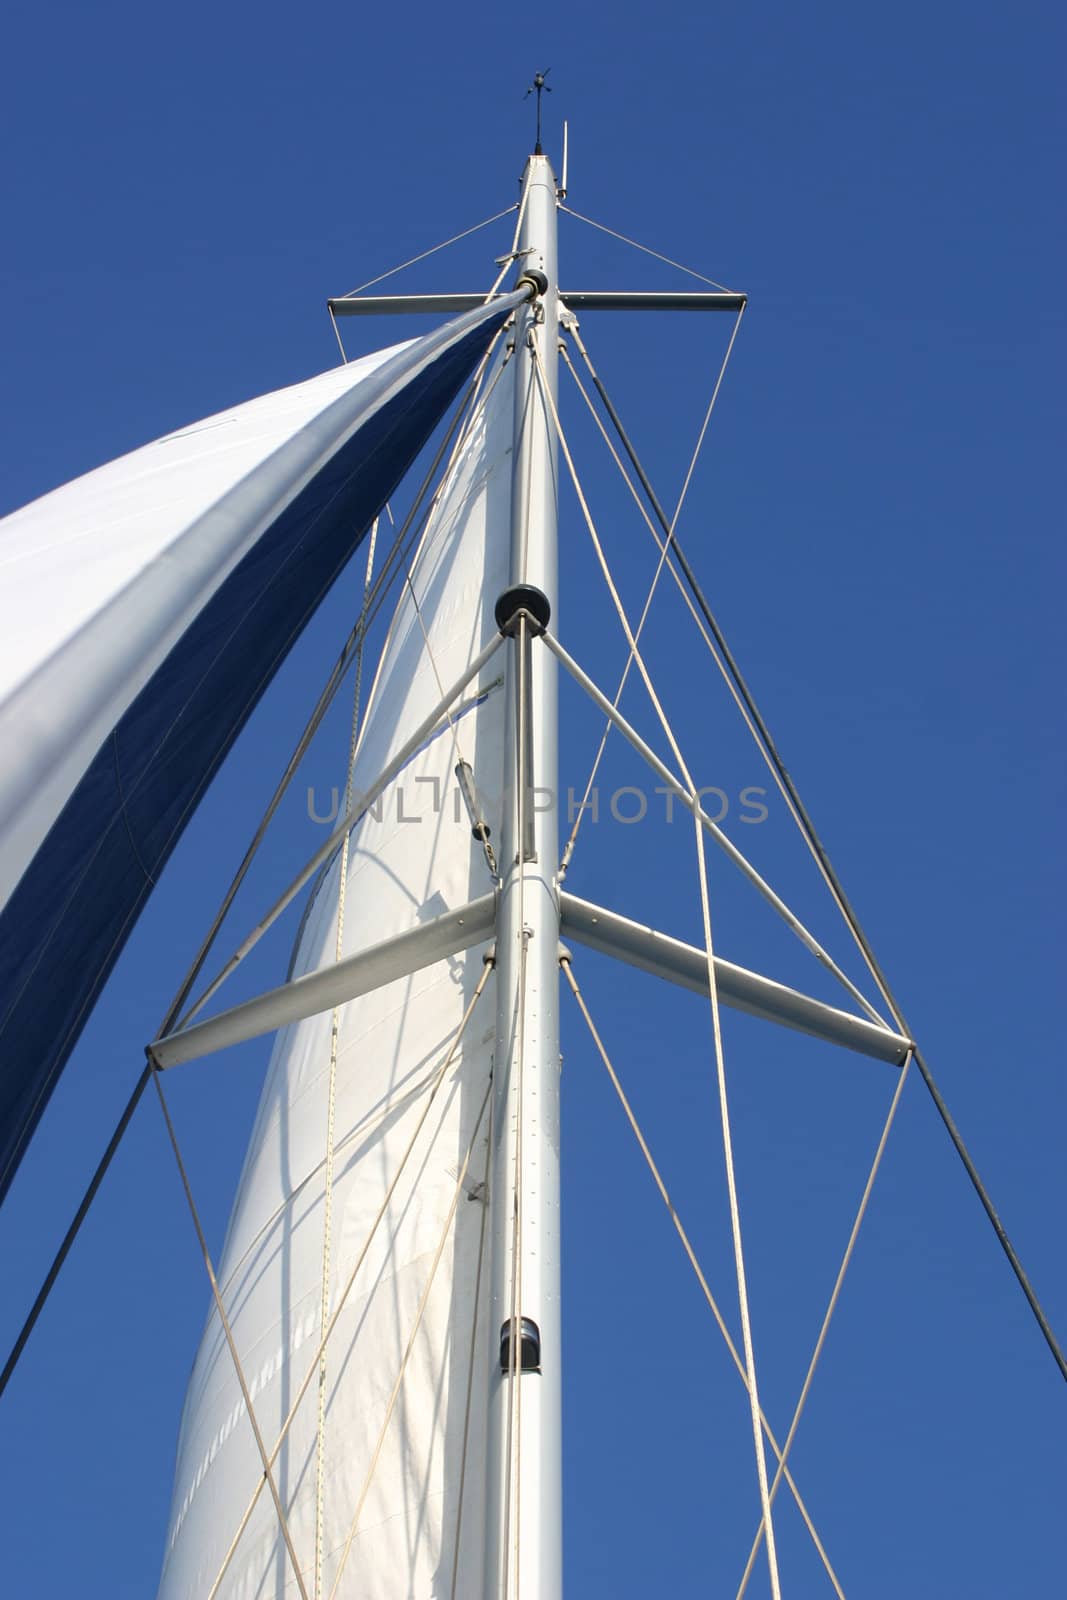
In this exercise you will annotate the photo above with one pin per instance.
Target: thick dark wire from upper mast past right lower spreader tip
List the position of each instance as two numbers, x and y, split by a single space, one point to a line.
834 884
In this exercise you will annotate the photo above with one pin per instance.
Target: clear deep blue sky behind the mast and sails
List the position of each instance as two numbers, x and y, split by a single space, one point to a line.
877 519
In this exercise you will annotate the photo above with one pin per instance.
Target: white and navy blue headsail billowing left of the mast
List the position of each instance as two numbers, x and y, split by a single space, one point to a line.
145 609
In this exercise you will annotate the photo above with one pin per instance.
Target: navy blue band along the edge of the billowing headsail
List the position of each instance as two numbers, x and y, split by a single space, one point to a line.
68 921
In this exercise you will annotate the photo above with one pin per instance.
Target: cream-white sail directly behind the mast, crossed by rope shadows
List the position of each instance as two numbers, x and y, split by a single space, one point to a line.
410 860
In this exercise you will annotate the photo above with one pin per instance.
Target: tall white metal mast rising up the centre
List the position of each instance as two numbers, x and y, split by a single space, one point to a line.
524 1492
